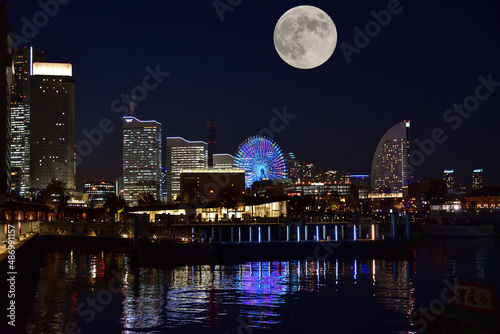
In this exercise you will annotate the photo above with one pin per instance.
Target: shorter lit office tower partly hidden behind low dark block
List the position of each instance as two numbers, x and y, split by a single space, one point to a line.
183 154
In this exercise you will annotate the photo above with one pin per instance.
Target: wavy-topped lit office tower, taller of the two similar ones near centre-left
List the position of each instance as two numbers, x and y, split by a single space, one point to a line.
141 160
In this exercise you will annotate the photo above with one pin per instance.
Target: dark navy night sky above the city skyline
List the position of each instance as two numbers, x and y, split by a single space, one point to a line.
423 62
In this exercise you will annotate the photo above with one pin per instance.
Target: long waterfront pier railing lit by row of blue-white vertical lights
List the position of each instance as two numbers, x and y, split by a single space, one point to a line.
222 231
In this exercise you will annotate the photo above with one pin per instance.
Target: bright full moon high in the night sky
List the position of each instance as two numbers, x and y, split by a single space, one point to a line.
305 37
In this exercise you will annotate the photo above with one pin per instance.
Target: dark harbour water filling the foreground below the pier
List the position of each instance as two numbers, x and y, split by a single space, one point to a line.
104 291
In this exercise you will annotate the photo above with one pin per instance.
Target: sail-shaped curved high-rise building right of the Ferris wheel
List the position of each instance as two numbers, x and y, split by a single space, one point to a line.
391 162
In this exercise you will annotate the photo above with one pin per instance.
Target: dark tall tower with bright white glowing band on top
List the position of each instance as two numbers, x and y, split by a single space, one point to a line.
52 152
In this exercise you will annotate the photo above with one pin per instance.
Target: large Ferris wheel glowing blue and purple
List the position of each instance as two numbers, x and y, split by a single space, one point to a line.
261 158
